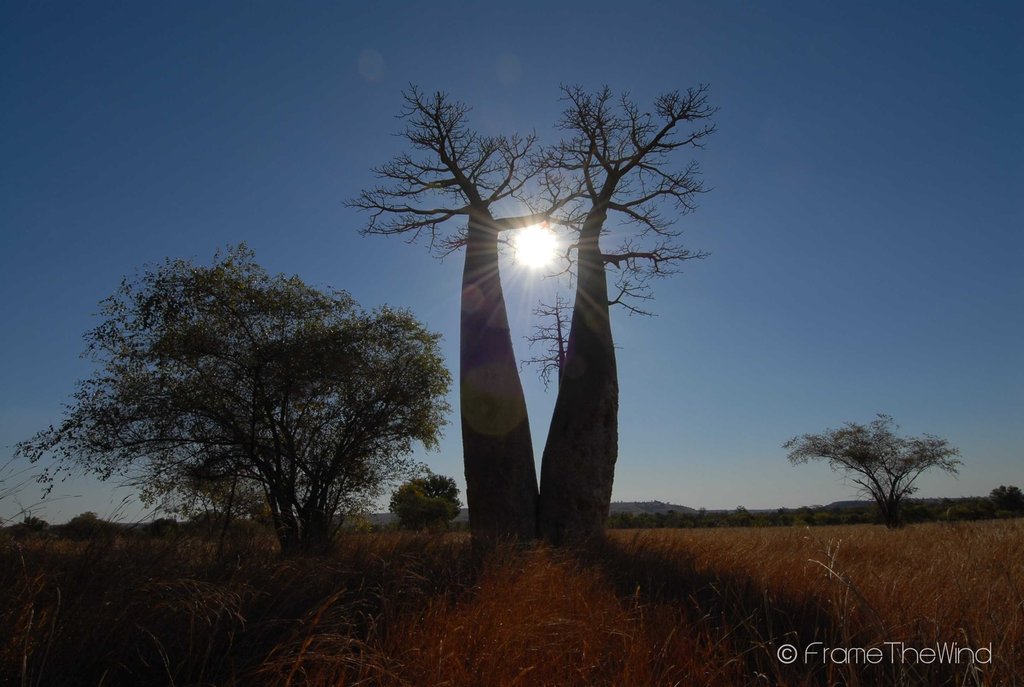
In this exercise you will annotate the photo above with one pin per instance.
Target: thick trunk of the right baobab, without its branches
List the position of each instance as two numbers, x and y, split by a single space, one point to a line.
579 463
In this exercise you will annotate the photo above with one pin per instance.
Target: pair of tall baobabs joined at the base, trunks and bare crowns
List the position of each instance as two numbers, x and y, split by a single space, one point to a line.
480 171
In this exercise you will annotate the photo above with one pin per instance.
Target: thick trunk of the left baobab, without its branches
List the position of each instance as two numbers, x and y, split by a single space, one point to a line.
501 477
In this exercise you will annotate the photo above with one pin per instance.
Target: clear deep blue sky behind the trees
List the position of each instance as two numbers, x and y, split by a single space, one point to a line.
866 220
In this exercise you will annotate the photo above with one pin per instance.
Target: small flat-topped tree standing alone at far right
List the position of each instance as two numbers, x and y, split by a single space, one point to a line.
883 465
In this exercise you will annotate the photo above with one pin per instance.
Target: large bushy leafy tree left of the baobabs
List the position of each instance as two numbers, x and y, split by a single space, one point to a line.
211 374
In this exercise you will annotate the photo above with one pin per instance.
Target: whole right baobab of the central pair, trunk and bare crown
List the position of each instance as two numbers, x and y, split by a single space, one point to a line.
623 157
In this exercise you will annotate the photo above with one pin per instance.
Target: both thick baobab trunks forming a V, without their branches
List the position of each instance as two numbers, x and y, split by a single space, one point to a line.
579 462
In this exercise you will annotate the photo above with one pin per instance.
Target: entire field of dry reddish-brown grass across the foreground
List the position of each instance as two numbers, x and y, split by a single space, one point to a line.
655 608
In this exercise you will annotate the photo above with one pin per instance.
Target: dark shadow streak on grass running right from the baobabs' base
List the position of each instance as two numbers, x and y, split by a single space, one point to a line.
744 622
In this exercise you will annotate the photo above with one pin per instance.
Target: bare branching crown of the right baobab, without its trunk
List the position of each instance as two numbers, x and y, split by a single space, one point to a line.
623 156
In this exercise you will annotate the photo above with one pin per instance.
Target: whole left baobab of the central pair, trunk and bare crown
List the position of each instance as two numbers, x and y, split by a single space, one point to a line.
448 195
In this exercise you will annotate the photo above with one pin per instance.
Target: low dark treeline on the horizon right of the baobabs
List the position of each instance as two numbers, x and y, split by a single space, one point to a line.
947 510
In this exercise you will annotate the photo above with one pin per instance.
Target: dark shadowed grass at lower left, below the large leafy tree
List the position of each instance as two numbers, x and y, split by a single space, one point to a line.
134 612
